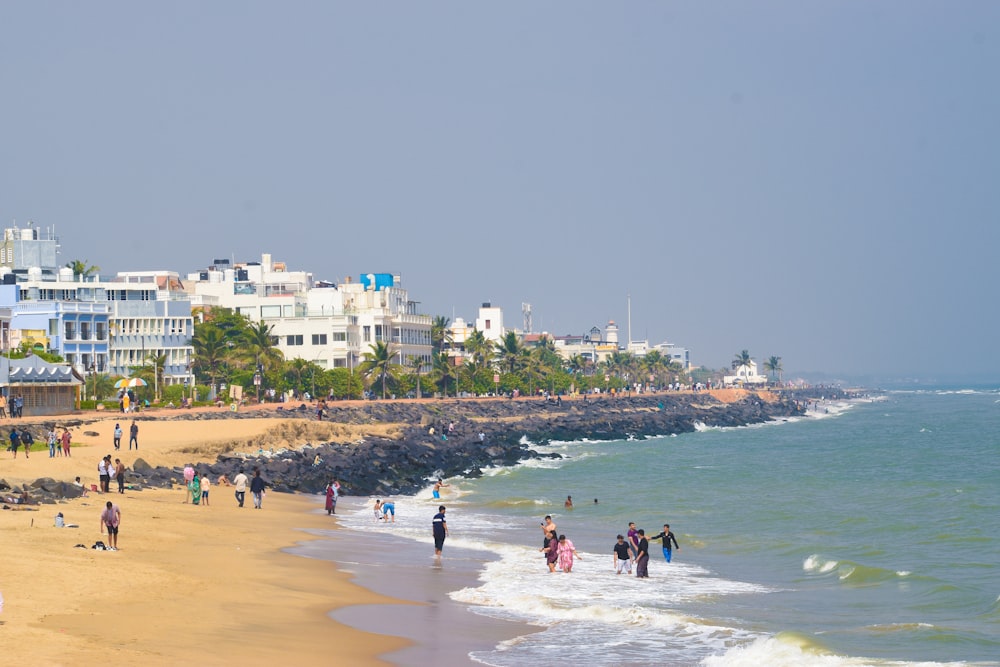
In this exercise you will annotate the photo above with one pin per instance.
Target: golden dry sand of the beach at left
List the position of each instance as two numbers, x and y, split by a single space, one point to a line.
203 584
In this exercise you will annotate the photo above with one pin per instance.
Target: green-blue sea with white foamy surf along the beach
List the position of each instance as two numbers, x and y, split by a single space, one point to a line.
865 533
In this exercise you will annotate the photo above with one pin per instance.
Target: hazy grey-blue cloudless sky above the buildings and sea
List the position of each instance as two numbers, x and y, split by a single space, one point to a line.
816 181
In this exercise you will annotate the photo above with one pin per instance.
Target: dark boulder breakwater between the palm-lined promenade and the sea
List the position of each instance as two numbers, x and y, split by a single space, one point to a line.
458 437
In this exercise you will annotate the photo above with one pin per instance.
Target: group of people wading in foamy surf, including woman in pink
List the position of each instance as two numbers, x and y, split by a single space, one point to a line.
634 549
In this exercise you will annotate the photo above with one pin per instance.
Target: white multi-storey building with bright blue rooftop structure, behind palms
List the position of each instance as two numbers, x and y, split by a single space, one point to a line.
330 325
